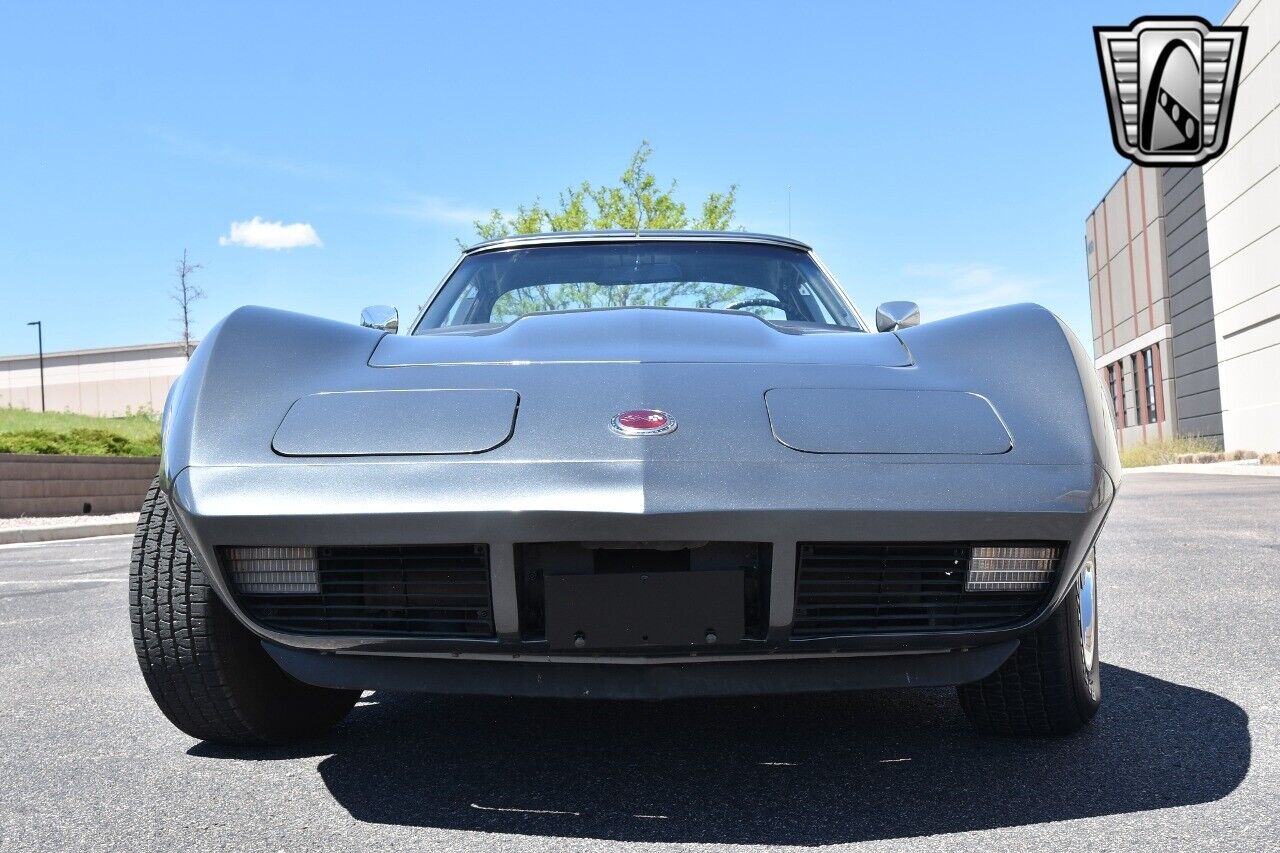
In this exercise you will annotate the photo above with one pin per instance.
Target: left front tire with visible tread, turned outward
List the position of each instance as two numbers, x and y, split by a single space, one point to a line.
205 670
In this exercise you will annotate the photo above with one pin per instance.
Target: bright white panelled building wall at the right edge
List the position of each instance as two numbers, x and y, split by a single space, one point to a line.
1242 204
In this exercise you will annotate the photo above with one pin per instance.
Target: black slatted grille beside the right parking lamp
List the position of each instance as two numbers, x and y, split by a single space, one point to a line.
892 589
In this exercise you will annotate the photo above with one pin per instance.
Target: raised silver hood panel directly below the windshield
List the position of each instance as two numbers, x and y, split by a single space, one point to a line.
642 335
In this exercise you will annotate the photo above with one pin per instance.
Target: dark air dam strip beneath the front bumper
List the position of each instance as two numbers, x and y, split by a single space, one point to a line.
641 681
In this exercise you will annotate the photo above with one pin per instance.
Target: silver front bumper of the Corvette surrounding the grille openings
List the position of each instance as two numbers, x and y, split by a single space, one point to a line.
423 501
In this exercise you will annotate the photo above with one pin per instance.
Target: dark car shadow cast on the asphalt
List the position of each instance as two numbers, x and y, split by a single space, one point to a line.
785 770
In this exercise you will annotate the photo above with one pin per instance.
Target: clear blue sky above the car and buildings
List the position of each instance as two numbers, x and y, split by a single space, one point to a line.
935 152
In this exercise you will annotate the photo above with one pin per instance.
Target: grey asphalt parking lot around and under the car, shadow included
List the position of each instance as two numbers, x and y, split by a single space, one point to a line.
1182 756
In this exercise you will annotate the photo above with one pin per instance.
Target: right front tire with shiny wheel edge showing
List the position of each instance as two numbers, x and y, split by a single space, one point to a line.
1052 685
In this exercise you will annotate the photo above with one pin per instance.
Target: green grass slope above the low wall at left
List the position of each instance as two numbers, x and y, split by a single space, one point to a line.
67 435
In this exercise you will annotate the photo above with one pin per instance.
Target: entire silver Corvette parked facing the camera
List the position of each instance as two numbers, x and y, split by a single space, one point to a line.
627 466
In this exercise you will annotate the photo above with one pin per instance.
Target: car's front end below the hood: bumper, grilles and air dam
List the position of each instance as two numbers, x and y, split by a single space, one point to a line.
345 592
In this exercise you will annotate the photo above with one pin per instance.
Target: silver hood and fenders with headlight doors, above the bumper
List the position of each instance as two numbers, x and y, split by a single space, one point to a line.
269 387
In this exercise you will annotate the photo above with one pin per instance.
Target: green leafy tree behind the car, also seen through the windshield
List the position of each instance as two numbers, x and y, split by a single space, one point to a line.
637 203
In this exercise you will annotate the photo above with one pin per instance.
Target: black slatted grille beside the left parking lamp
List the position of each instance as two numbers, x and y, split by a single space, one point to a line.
391 591
